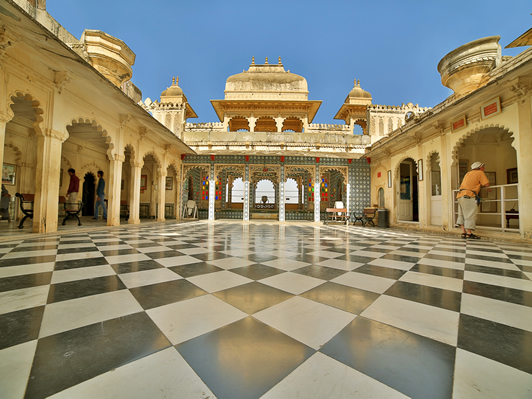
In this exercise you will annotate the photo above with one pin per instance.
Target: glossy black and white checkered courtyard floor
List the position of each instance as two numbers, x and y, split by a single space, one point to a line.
232 310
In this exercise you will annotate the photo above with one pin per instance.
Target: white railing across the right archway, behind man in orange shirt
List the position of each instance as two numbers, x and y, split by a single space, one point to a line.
498 208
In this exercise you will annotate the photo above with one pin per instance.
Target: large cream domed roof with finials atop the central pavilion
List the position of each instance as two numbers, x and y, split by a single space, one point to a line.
266 82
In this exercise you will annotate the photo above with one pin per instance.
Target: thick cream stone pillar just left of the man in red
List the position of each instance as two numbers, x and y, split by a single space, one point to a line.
45 207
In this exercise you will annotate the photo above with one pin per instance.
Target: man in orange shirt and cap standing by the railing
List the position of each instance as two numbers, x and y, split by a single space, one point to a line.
467 203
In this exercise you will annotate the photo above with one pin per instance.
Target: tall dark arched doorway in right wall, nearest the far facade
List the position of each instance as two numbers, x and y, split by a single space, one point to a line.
407 182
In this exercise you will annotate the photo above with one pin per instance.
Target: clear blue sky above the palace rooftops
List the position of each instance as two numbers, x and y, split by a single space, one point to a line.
393 47
